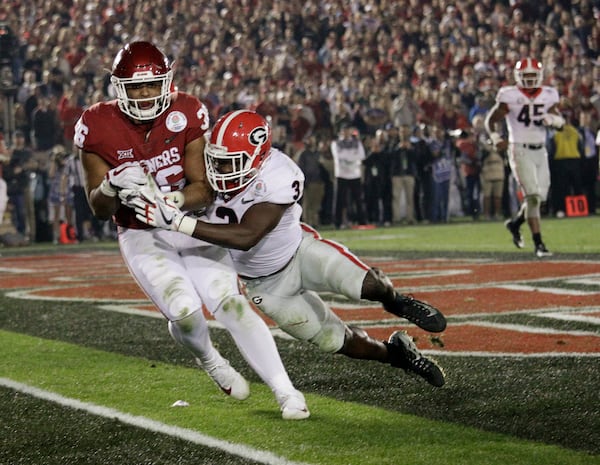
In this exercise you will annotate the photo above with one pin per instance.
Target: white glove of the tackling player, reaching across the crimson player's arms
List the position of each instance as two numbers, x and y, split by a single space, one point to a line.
161 213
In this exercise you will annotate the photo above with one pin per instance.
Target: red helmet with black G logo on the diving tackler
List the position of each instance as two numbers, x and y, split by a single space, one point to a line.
239 143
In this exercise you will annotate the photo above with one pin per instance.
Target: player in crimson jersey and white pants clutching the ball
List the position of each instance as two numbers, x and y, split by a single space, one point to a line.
152 130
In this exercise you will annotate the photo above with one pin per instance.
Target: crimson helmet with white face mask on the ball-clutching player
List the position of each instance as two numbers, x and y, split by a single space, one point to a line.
139 63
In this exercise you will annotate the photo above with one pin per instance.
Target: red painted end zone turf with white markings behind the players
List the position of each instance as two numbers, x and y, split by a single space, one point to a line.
466 291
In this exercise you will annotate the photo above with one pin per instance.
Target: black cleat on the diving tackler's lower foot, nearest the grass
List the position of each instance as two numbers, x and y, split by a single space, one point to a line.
404 354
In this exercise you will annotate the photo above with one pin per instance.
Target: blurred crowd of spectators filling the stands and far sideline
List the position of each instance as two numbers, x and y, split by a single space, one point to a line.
406 82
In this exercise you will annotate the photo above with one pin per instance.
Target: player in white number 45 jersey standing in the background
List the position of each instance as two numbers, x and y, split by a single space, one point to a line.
528 108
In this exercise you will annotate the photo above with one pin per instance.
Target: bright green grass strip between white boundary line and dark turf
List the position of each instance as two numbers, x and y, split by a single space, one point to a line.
337 432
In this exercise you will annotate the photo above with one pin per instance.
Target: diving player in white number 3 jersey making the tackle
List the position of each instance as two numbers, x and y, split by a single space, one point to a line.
283 262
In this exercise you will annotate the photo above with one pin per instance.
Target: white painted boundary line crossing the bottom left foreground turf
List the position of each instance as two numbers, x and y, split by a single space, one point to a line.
152 425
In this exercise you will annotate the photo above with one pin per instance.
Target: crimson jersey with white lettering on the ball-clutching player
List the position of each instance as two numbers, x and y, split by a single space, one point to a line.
158 145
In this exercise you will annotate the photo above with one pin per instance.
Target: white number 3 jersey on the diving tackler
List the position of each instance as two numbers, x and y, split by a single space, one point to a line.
281 182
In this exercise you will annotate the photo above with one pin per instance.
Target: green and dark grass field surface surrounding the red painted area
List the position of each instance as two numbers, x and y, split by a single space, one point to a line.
82 385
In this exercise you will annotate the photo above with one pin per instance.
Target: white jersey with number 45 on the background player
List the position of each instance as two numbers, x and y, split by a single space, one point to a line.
524 117
